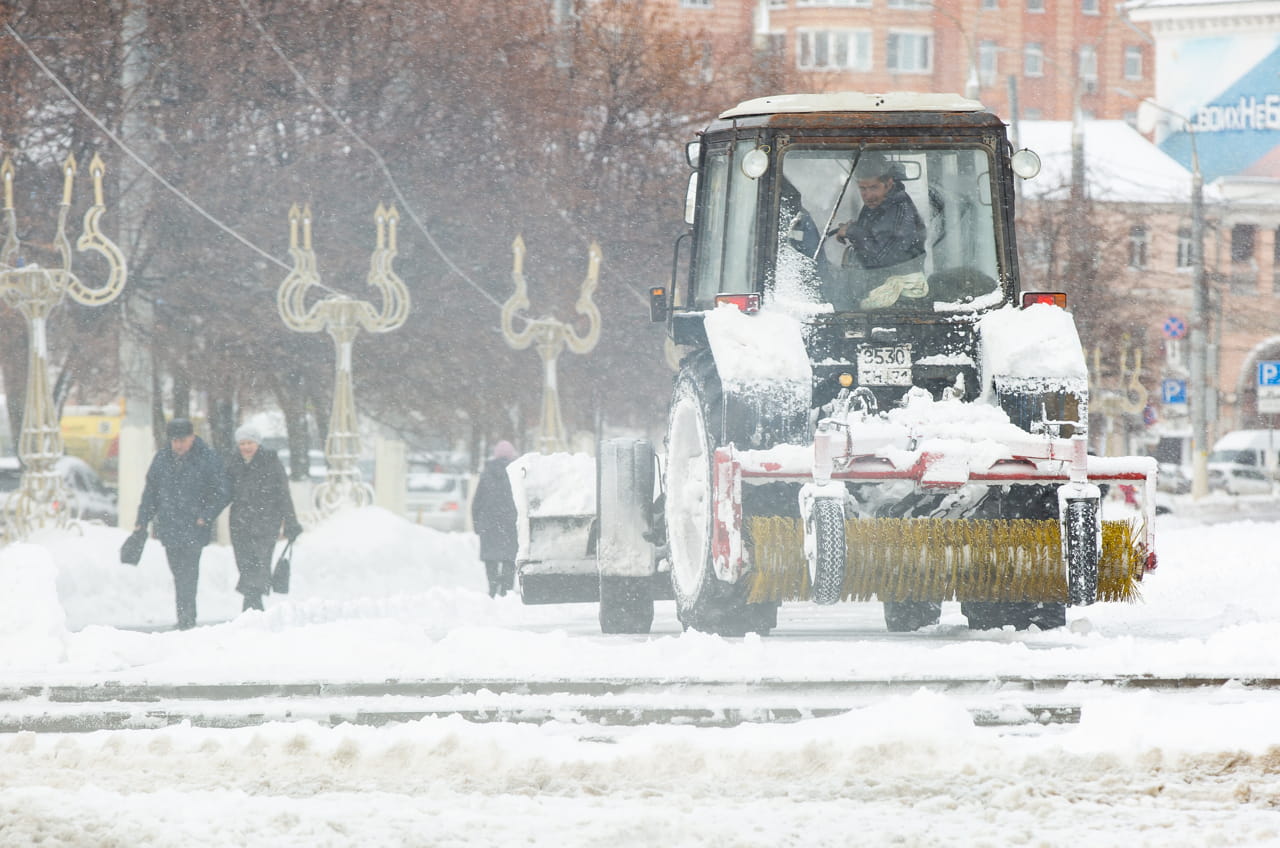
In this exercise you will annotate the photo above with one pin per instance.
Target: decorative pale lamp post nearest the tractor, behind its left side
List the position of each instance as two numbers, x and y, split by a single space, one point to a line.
551 338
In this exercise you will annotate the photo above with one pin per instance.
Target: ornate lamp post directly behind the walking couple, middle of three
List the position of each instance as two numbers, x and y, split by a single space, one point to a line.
342 317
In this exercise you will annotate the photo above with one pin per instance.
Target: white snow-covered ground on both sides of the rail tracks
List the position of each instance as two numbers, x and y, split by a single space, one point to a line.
377 599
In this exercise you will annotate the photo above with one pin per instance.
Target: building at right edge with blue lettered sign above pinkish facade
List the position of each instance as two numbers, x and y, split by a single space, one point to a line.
1218 83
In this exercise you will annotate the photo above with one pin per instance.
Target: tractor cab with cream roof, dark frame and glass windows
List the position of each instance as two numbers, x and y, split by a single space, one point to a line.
778 179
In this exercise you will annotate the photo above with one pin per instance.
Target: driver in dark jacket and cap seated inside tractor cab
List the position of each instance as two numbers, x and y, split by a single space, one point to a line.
885 257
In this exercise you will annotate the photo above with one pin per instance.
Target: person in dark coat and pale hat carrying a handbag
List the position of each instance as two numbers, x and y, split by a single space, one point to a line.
260 508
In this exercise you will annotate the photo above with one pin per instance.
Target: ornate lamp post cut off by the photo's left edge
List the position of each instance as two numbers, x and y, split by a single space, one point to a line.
42 499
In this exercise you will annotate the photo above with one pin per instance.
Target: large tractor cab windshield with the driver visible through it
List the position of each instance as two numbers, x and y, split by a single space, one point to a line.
867 229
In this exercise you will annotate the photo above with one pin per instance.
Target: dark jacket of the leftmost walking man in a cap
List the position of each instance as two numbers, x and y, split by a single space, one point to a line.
181 491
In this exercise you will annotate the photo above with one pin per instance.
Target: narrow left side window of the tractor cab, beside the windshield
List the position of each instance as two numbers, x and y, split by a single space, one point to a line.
726 226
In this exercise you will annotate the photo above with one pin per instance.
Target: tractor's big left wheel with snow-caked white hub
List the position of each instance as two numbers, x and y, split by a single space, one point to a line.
703 601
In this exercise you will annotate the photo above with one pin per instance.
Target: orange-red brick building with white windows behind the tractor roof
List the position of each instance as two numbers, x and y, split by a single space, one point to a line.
1044 53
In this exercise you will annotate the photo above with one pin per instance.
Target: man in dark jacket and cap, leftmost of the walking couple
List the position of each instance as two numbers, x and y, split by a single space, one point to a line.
186 491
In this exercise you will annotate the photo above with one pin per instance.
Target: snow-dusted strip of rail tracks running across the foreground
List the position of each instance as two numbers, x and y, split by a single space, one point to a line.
1003 701
